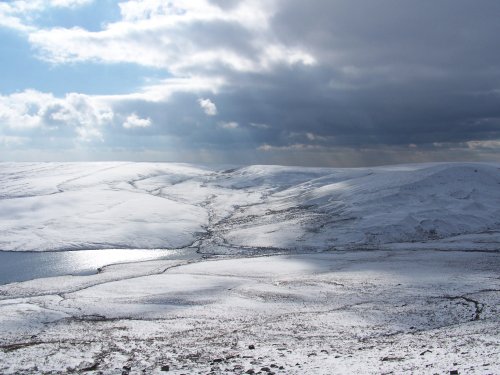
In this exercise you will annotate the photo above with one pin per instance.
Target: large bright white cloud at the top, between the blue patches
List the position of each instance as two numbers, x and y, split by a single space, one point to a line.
182 37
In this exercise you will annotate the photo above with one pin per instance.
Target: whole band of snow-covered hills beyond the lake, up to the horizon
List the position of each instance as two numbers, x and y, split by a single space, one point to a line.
60 206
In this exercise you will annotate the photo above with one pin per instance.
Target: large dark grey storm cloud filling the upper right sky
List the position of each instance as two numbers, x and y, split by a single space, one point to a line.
390 72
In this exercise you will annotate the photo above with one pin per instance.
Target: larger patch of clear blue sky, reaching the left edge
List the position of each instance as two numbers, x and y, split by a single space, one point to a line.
21 70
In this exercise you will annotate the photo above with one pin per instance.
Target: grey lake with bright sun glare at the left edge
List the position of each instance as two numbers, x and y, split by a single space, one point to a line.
22 266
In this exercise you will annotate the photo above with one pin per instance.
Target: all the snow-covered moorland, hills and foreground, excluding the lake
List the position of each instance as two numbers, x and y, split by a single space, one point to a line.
293 270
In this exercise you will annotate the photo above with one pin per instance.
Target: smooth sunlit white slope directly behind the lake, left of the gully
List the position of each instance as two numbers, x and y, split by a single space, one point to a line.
88 206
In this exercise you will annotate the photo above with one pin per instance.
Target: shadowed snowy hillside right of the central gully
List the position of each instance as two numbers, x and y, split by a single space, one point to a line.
376 207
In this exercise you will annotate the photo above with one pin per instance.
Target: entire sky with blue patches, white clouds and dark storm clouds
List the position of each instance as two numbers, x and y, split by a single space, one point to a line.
317 83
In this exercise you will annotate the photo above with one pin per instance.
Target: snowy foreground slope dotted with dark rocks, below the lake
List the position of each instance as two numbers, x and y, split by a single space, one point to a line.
346 312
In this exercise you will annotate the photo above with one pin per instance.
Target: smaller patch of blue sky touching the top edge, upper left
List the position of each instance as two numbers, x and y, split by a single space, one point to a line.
92 16
